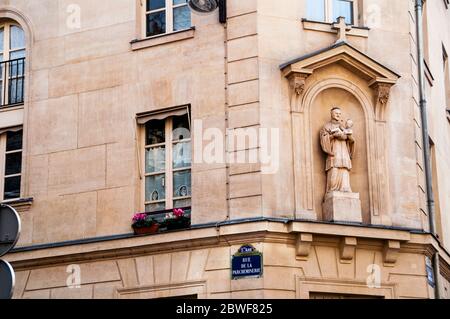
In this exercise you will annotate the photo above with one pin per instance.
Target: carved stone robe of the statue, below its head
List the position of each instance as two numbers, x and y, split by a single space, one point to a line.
339 158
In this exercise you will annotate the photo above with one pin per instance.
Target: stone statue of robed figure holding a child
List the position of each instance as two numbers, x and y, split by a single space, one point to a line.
337 141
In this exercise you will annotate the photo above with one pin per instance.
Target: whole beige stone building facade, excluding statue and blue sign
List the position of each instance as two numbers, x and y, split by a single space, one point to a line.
92 94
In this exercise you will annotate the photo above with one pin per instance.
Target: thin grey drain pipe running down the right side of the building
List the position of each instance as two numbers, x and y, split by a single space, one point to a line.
425 135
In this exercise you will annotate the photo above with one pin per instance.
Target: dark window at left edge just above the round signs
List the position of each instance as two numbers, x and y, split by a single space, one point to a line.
11 148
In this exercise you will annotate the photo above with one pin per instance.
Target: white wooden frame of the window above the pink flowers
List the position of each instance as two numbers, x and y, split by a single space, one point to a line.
169 170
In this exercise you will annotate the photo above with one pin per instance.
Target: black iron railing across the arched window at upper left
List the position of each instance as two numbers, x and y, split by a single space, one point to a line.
12 82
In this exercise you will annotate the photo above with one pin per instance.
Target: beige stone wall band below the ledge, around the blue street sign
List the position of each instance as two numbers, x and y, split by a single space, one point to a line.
206 273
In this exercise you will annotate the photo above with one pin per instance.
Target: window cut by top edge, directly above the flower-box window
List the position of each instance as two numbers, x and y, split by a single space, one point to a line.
166 16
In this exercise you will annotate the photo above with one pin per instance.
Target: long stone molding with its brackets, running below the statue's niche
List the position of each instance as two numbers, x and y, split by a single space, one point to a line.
301 235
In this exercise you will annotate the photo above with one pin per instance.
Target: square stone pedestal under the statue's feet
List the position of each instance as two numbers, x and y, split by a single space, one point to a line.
342 207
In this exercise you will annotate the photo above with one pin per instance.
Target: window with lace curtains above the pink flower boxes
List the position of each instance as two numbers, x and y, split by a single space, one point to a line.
168 163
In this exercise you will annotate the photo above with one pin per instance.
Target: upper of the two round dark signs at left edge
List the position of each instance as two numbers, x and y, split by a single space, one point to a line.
9 229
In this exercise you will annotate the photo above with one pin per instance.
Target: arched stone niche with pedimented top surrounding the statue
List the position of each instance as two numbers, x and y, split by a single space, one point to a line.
340 76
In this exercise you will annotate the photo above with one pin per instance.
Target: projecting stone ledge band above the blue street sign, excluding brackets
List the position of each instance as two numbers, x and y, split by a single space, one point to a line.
235 232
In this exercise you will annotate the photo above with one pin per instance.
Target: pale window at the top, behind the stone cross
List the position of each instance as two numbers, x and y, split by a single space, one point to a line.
330 10
